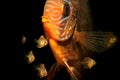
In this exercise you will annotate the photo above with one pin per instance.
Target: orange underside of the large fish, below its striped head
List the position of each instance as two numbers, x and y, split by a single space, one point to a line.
68 55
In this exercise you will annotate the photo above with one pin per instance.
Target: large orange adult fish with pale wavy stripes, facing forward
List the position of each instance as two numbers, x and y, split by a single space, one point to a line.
68 28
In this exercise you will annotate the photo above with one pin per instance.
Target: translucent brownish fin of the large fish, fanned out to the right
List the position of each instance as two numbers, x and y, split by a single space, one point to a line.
95 41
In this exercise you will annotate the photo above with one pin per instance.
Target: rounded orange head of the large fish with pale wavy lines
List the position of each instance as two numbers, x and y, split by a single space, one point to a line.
59 19
